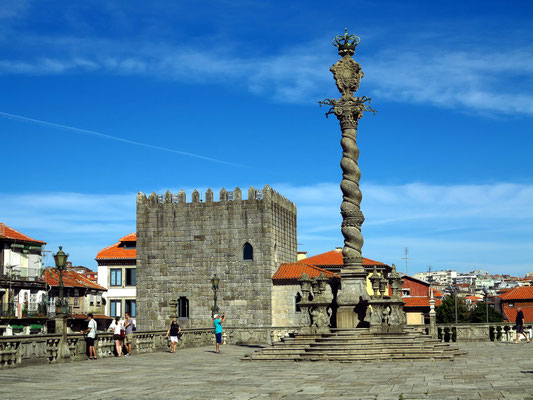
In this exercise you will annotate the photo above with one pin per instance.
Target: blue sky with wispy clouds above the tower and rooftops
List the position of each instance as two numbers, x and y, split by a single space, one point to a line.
99 100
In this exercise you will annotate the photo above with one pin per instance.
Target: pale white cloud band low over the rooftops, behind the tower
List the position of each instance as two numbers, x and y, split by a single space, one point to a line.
456 226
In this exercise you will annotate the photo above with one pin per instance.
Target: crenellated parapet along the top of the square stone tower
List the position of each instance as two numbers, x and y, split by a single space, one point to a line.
225 196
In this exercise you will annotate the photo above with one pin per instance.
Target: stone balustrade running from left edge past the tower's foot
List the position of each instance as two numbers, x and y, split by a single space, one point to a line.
43 348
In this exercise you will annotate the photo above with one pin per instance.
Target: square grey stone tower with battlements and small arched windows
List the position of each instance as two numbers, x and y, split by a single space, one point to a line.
181 245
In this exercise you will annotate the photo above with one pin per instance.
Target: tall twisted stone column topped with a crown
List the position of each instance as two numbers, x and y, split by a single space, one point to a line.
352 296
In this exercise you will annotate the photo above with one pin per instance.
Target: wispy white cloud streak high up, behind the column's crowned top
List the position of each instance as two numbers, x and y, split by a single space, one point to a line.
476 79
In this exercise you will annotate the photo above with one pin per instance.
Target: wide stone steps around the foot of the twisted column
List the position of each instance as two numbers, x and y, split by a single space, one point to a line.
354 345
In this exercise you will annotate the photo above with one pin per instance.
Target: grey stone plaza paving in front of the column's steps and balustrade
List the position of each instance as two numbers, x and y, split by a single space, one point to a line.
489 371
